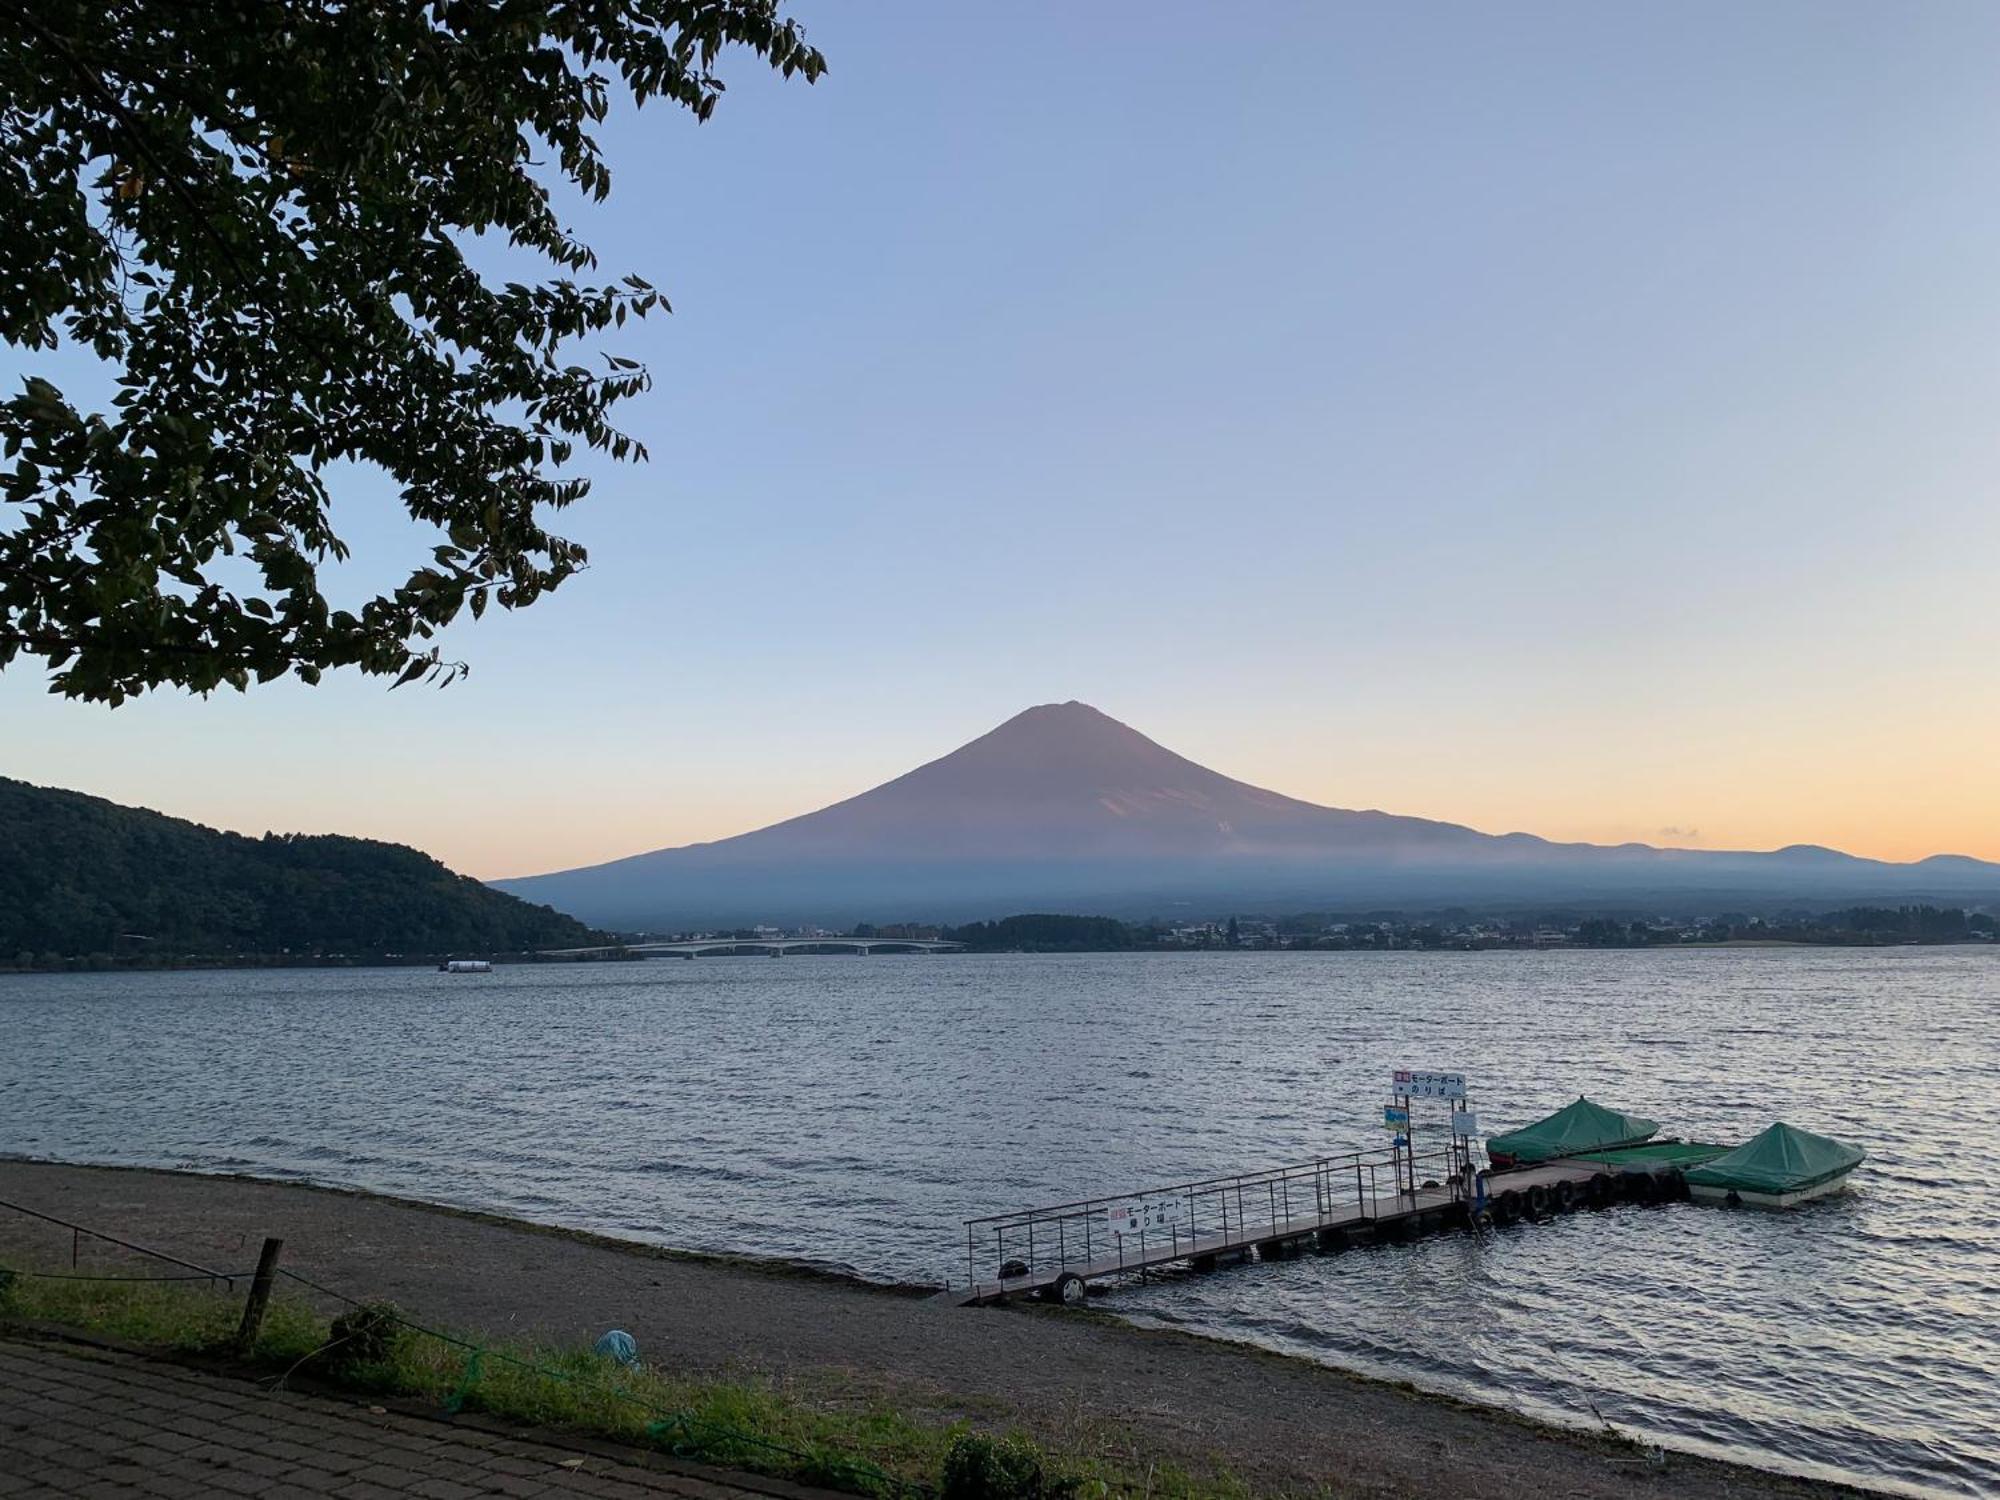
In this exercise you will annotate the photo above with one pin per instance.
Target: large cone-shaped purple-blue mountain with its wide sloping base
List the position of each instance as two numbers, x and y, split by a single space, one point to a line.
1067 809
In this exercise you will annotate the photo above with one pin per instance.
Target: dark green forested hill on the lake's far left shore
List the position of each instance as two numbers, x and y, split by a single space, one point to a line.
85 877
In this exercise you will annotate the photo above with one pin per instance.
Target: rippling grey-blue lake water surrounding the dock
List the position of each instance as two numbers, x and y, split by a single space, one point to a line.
857 1109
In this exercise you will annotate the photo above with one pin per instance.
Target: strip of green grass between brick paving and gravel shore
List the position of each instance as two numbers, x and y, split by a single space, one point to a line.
861 1445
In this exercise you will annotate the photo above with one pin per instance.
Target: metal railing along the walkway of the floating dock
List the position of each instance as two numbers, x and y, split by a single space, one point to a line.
1197 1219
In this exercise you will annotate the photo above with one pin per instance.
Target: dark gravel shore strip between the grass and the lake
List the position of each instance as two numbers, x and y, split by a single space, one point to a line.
1283 1425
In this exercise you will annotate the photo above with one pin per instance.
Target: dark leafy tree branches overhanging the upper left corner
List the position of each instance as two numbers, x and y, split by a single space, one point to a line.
257 215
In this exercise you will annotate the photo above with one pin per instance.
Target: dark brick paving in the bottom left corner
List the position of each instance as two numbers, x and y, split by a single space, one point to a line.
83 1423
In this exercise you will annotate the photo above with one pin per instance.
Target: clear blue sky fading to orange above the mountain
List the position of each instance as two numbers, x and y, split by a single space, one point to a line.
1569 419
